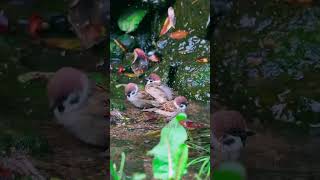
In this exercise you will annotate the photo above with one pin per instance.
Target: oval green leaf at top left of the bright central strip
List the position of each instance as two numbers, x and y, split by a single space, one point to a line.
129 21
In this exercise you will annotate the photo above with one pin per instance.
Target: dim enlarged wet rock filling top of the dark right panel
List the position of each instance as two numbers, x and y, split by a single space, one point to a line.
290 60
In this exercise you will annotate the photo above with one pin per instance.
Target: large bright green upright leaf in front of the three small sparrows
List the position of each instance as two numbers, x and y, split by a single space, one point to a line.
171 154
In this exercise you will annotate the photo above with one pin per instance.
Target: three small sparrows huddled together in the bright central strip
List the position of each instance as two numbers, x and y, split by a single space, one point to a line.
156 97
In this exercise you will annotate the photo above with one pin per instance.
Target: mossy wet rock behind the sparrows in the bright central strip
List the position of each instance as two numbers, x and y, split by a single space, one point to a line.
190 78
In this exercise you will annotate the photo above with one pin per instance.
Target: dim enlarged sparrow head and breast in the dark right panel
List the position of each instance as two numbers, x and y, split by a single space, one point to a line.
228 136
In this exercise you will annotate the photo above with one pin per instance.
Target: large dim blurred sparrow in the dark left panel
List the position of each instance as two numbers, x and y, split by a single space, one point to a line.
79 105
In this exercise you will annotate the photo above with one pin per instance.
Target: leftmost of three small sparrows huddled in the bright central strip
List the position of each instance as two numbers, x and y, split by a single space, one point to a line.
139 98
